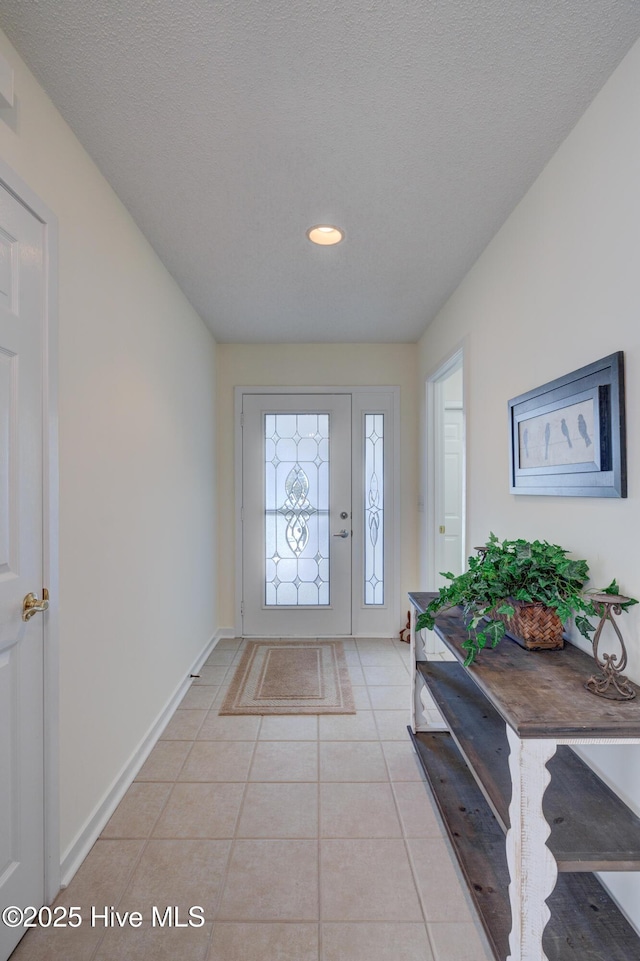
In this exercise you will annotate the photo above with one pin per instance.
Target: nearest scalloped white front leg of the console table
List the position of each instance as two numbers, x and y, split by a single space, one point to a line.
532 867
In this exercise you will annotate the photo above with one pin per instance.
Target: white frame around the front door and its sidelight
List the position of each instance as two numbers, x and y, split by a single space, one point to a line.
394 391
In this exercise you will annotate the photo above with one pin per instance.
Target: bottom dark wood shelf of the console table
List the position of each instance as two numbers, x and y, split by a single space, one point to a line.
585 923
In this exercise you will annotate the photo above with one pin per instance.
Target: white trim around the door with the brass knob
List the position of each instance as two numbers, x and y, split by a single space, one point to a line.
50 521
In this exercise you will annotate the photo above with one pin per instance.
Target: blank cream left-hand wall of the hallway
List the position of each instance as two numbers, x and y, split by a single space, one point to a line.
136 382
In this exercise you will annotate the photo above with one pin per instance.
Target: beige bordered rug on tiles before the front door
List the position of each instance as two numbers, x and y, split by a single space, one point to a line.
291 677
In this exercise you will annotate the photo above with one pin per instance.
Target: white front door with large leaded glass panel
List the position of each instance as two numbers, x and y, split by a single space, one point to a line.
296 514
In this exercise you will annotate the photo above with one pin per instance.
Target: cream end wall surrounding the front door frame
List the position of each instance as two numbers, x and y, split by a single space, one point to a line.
313 365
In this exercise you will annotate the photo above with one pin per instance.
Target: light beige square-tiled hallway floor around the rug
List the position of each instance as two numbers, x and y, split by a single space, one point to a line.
300 838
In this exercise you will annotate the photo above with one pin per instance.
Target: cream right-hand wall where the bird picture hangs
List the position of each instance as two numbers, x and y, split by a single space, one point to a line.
557 288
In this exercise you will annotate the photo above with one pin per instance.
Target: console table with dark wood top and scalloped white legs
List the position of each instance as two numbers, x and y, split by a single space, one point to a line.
501 764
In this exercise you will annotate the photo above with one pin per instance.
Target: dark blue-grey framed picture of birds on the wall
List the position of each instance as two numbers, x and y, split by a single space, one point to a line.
568 436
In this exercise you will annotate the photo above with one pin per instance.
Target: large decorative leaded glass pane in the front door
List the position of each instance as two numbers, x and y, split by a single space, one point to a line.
296 510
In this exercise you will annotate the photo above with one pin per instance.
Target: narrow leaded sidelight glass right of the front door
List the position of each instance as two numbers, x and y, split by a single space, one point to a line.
374 509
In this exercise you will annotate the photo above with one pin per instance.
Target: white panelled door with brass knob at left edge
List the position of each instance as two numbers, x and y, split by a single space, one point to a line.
21 562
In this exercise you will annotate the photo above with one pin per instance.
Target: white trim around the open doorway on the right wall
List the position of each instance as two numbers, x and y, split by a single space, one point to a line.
454 361
